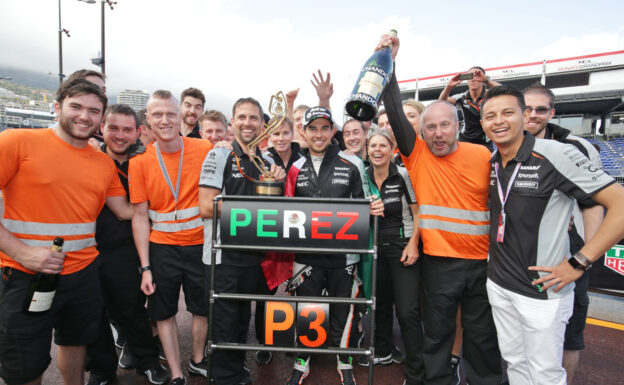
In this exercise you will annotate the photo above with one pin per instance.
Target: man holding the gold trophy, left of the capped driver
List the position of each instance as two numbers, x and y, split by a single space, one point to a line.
226 172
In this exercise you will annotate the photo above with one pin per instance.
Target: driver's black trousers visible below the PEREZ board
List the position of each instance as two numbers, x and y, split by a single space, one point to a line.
339 282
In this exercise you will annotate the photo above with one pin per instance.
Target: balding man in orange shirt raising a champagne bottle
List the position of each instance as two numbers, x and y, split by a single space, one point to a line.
451 181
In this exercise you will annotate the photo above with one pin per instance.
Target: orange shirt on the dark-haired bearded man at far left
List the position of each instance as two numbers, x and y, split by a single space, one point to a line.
47 181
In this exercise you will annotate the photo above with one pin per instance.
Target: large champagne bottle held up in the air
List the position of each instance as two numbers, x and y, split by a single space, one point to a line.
364 100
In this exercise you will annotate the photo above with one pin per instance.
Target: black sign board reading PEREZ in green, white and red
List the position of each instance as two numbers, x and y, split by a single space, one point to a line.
295 223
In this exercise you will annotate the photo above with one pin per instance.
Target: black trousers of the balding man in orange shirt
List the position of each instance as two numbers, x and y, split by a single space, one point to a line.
448 282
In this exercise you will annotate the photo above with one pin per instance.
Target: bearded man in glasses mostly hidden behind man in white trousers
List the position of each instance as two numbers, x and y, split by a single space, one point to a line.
540 102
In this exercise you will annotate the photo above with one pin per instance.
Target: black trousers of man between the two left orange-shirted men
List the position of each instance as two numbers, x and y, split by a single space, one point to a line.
124 304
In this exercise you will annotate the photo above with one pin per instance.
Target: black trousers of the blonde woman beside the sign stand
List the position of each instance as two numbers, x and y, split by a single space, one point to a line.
399 285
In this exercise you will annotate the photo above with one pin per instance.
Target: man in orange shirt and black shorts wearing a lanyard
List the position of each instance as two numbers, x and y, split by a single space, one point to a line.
164 188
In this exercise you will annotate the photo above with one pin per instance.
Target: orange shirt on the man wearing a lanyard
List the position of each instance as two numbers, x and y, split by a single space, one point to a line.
147 184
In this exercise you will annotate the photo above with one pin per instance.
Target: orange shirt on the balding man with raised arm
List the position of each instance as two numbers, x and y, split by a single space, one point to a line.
458 181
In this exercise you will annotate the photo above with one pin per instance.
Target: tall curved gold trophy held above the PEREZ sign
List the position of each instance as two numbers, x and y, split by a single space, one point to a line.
267 185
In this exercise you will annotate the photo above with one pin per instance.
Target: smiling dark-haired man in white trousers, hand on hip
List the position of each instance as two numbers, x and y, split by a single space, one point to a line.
533 185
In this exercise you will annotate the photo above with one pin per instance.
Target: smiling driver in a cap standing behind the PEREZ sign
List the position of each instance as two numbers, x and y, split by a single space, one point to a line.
325 171
